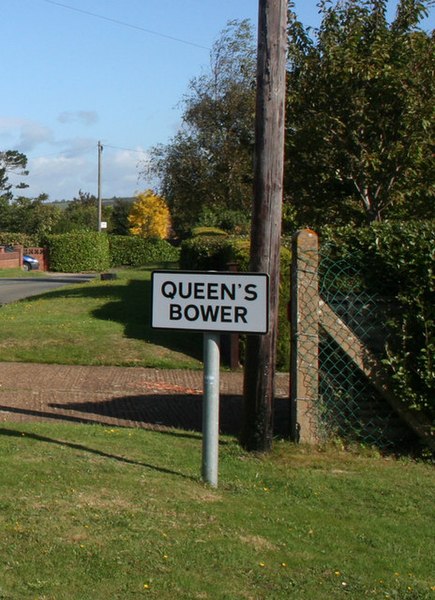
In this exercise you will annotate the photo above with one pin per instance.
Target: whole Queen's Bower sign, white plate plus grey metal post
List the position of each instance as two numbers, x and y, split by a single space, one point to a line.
212 302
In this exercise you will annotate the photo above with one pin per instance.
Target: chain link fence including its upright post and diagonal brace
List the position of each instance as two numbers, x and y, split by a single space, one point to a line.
339 328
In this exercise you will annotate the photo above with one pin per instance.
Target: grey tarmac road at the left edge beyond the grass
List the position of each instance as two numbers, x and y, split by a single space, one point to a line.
12 289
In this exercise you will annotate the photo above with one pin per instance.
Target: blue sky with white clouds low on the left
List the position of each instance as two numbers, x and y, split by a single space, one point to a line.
71 79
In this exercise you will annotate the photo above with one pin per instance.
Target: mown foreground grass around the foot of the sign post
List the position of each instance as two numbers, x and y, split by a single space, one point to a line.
89 512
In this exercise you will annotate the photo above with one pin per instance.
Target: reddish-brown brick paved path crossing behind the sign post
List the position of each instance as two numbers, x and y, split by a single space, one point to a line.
129 397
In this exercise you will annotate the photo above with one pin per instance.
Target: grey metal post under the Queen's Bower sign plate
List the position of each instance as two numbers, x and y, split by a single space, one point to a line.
210 409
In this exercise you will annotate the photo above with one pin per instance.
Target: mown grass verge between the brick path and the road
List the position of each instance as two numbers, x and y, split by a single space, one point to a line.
95 323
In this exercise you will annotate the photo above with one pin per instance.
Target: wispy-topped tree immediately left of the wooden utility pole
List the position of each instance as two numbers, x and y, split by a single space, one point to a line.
208 164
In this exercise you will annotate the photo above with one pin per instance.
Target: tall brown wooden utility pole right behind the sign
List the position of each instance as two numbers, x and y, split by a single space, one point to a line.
260 358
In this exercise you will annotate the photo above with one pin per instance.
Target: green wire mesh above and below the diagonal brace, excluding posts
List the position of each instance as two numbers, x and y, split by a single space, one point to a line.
349 405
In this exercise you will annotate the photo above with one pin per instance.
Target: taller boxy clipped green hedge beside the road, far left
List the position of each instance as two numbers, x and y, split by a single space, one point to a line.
78 251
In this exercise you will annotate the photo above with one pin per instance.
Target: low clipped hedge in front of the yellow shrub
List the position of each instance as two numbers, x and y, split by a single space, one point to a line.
135 251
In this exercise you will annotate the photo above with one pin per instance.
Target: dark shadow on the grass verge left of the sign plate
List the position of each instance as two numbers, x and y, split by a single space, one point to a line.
130 305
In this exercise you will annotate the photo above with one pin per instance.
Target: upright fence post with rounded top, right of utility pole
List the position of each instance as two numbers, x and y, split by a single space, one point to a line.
304 329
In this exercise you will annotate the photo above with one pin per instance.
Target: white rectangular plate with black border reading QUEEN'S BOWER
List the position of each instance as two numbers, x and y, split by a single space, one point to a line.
210 301
